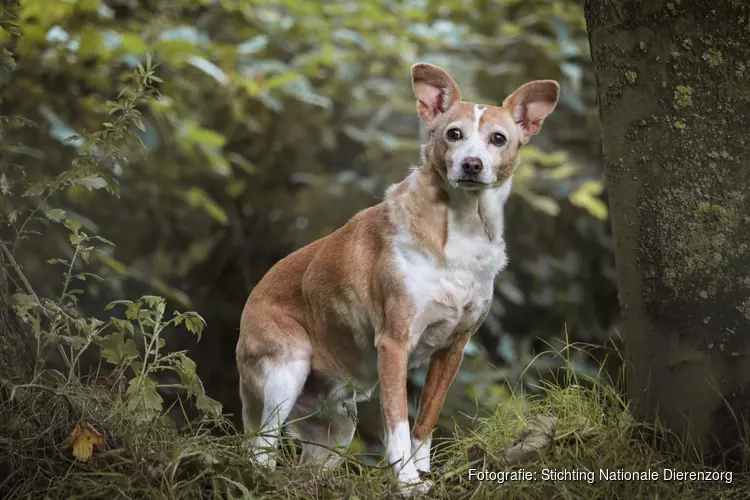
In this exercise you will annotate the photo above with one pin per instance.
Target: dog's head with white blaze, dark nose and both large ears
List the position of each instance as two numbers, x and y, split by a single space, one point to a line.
474 146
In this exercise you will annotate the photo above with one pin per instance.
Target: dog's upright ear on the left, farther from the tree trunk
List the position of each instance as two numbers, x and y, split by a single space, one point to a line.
435 90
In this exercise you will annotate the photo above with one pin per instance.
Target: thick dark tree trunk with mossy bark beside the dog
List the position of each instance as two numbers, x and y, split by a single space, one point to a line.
674 96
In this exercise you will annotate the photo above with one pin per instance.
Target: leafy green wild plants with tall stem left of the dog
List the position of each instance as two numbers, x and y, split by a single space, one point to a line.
58 323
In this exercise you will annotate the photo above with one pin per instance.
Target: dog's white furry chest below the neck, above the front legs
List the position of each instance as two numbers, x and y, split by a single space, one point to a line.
448 298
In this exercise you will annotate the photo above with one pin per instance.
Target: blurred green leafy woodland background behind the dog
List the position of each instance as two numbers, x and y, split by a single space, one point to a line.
278 120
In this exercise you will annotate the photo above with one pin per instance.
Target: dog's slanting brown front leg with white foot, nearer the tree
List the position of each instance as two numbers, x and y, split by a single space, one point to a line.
441 371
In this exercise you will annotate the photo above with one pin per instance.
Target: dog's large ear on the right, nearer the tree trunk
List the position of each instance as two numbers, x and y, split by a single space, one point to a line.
531 104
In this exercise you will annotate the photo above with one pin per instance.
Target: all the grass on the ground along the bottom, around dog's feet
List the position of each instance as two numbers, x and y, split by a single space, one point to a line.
208 459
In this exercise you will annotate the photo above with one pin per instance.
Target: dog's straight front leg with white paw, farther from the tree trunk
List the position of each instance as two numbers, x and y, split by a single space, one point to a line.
393 354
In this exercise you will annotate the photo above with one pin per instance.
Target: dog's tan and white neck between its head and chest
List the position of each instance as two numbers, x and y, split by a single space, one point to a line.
429 209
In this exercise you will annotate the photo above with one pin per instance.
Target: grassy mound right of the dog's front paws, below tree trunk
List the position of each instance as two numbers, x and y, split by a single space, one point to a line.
597 438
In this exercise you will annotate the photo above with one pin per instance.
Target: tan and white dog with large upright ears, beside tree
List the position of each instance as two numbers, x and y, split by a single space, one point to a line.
403 282
